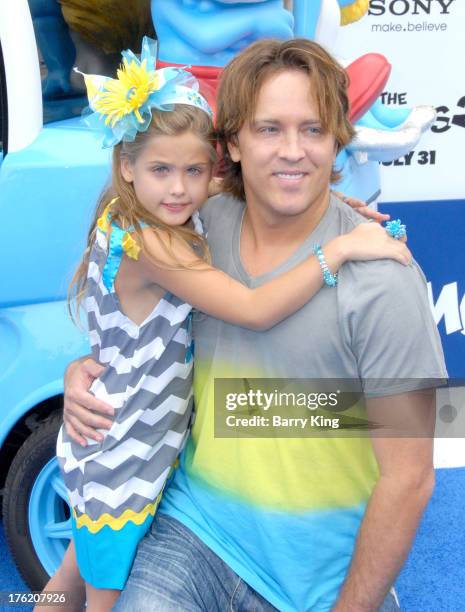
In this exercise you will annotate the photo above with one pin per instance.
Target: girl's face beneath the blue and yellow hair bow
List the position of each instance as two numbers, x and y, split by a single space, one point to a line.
170 176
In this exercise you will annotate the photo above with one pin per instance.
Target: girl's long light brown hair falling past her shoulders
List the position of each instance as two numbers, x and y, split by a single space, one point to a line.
127 211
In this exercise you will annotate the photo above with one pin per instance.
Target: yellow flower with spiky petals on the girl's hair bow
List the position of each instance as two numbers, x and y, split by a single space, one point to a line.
127 93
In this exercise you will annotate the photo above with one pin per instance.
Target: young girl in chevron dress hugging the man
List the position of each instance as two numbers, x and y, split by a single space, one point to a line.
145 267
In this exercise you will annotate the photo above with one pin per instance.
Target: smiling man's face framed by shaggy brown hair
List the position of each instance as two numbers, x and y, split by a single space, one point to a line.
285 155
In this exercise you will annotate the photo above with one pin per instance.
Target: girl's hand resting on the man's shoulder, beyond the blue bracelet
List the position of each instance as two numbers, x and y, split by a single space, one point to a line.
371 241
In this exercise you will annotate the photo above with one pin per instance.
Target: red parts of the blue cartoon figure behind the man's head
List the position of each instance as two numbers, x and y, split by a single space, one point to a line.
368 75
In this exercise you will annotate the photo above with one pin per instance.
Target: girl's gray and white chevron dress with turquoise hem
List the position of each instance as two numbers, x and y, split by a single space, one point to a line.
114 486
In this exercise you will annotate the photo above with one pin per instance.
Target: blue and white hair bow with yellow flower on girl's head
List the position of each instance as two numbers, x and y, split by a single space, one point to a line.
122 107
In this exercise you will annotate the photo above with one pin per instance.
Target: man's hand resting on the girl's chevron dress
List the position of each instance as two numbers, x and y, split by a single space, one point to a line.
80 406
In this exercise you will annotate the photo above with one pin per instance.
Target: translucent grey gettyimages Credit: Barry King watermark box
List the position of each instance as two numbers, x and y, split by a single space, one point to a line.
265 408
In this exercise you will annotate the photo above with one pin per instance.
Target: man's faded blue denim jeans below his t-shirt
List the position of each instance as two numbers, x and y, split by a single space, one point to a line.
175 571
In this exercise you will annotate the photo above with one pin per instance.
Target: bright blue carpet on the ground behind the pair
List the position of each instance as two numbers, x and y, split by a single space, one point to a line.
433 578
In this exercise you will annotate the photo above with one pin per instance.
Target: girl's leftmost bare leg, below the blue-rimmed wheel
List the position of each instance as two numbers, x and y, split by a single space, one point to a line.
67 580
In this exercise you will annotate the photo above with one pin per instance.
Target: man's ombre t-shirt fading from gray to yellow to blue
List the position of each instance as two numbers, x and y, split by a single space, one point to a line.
282 512
